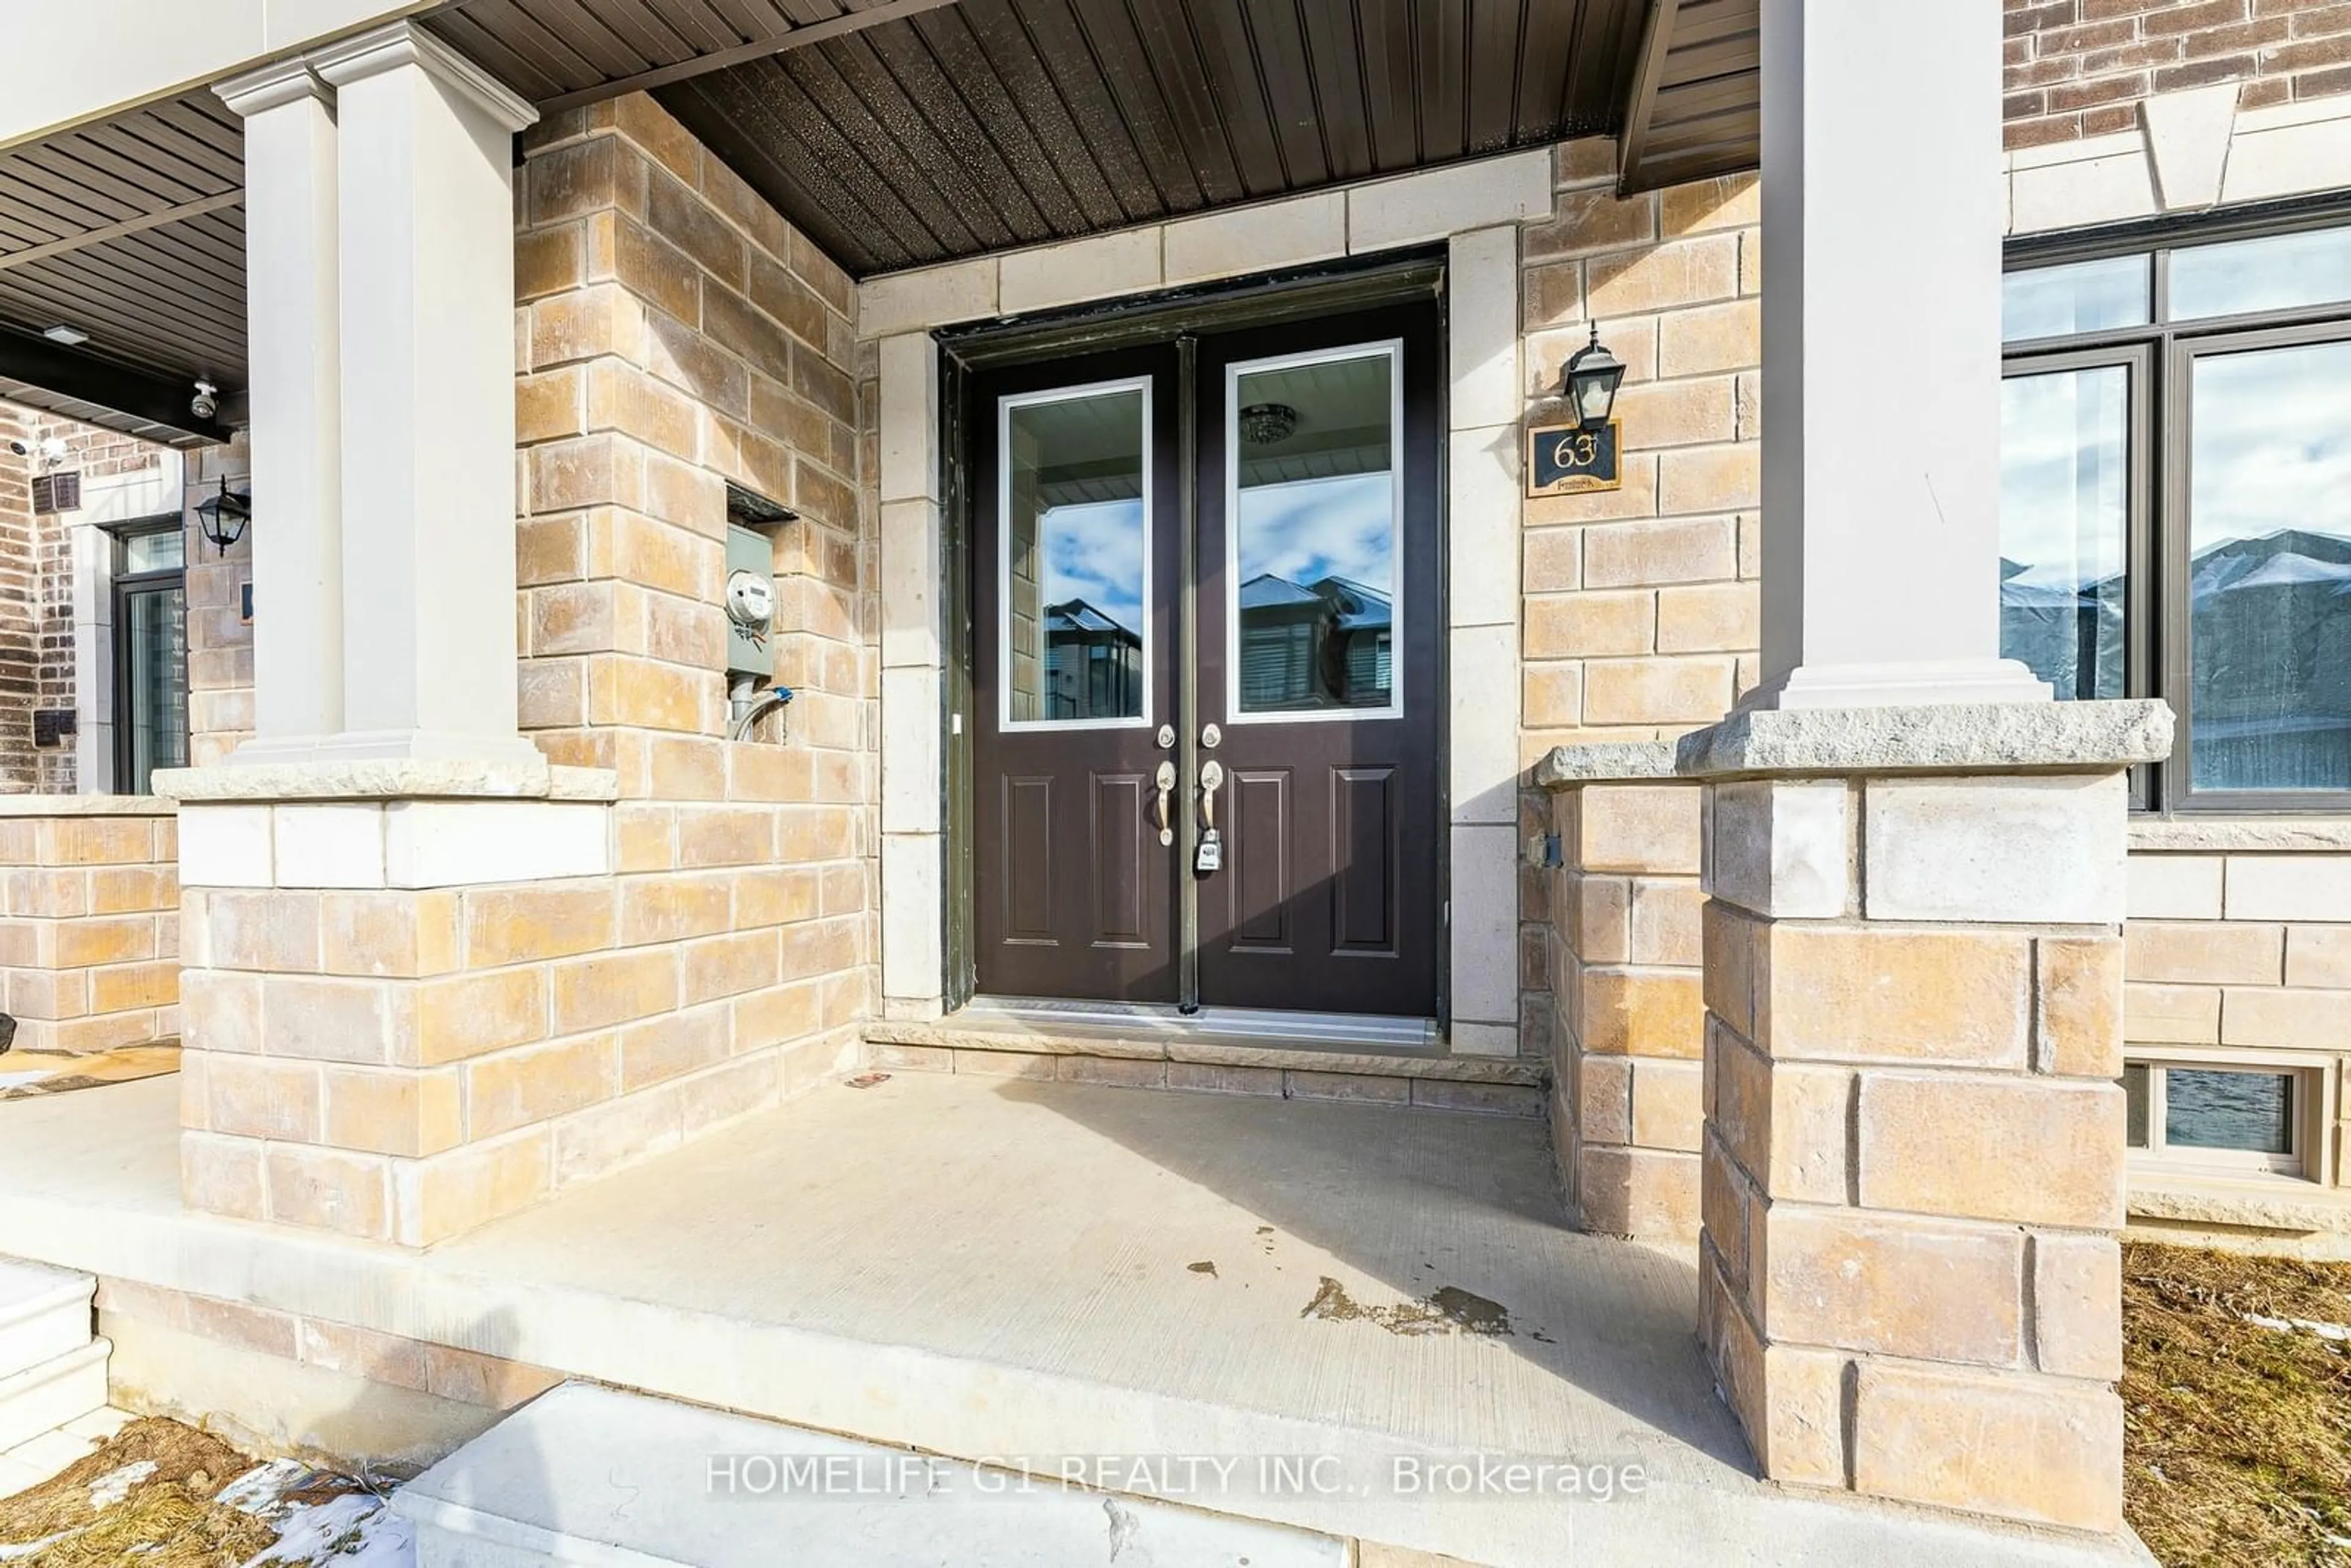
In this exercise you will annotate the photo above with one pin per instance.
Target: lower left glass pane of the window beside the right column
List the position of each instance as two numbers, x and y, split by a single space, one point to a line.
2065 516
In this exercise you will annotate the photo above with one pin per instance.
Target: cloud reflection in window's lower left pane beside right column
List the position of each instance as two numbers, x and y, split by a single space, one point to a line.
2063 476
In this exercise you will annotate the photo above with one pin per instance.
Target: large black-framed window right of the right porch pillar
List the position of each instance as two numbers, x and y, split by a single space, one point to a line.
2176 502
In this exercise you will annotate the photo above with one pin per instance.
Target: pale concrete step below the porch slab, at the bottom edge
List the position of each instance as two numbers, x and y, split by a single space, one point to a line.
591 1475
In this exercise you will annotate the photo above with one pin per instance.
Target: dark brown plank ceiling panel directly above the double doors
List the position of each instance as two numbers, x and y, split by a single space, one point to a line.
1000 123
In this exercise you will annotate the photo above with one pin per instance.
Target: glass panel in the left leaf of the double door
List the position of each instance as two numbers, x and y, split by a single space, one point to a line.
1078 587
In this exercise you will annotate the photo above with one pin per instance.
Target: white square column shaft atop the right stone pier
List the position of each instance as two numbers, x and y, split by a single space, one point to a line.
1882 356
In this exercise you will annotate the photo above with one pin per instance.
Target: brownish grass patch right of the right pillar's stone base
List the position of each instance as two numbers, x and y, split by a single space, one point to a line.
2237 1440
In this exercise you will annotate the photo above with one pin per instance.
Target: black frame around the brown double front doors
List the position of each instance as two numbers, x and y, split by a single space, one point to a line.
1153 319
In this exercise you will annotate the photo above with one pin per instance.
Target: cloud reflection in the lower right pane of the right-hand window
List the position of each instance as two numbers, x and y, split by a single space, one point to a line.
2272 443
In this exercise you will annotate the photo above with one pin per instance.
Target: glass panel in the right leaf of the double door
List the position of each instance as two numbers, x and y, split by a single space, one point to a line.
1315 504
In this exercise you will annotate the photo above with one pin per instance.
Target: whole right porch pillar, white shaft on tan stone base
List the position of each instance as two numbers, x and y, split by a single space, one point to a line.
1913 1158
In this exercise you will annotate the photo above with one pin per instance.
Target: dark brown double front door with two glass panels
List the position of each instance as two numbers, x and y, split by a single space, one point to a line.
1207 615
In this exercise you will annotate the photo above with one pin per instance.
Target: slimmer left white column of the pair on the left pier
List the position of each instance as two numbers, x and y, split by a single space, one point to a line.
295 384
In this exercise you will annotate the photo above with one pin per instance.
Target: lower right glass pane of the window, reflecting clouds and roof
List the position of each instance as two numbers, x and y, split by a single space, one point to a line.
2270 570
